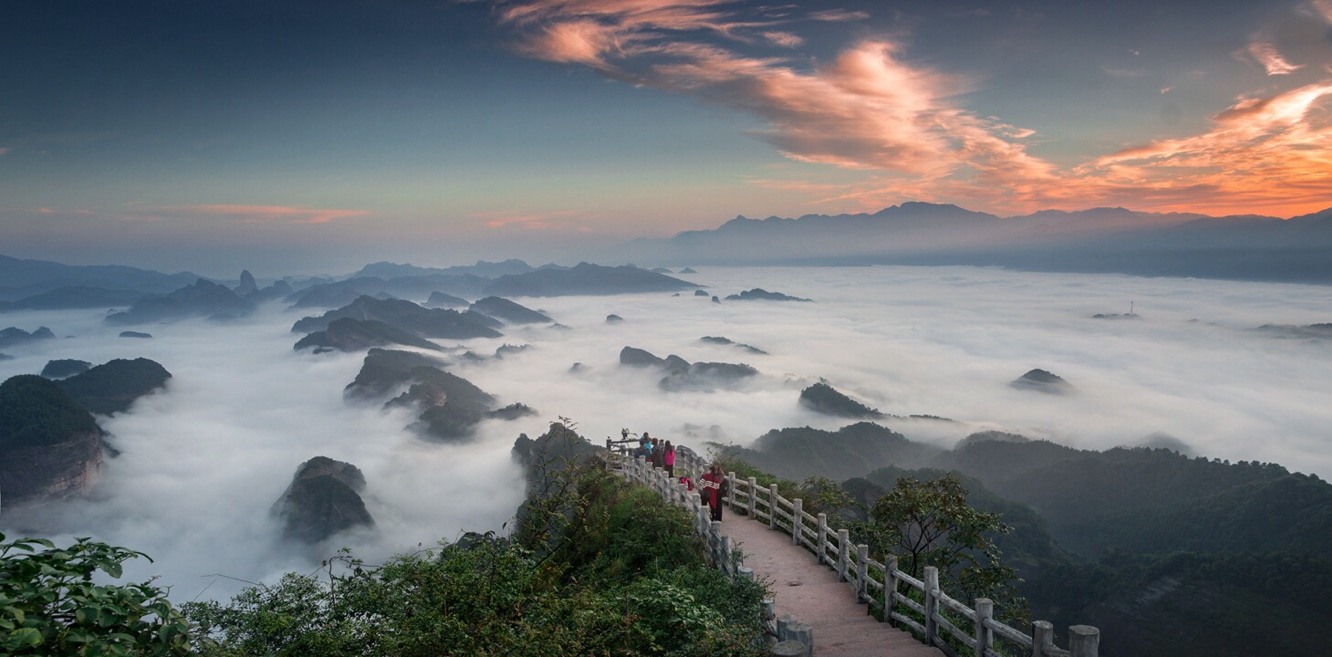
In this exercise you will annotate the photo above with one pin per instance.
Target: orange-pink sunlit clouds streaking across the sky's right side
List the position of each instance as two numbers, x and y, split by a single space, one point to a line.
876 111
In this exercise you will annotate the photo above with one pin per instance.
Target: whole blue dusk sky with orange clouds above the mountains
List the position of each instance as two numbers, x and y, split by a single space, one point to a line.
215 135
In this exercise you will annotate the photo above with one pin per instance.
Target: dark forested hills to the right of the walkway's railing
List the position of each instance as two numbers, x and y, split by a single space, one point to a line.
1167 555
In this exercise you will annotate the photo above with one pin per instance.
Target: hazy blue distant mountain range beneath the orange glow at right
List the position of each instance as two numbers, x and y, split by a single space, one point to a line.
1120 241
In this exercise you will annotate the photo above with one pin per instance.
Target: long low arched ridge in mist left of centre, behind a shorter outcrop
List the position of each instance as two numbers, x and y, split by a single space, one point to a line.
406 317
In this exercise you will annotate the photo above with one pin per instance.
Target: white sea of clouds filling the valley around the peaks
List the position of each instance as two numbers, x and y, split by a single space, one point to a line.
203 462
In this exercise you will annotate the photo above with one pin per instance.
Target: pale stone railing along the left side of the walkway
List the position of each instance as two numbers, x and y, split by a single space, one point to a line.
793 638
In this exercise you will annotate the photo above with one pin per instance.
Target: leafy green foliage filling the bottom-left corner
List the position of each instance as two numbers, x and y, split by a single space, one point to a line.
51 607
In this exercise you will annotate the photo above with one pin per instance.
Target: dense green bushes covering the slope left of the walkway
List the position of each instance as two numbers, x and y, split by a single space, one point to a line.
620 574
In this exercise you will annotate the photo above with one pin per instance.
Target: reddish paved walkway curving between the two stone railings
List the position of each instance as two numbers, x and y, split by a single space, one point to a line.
811 592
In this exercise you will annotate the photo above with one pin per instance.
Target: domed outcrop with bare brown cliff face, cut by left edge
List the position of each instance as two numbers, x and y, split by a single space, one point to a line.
50 444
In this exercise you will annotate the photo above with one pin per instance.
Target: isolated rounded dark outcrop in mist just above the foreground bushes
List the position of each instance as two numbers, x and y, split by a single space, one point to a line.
324 499
